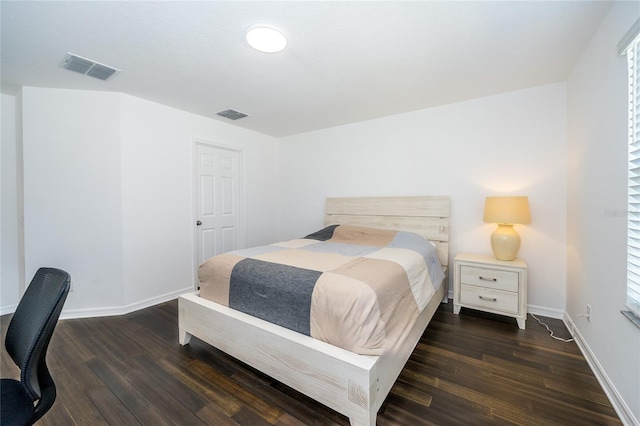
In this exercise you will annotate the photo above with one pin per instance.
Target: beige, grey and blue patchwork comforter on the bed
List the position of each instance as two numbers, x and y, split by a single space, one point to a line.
357 288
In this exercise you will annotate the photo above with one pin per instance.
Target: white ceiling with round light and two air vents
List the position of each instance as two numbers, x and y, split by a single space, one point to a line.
345 62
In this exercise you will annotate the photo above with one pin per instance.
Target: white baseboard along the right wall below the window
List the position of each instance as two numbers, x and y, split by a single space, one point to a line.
622 409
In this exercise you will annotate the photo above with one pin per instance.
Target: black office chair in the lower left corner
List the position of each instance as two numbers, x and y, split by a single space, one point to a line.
24 402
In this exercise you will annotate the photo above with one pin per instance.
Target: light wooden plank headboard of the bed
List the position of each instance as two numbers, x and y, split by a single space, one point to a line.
426 216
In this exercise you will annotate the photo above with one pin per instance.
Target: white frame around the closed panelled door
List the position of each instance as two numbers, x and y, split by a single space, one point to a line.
242 234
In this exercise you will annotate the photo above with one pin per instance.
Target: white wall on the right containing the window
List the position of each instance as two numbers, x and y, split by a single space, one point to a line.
597 179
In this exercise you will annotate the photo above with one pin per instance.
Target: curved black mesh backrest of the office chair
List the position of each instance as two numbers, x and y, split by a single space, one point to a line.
32 326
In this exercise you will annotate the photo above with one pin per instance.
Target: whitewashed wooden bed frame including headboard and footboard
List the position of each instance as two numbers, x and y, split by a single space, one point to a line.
354 385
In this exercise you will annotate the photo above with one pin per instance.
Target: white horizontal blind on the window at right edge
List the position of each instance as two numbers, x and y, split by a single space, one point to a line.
633 227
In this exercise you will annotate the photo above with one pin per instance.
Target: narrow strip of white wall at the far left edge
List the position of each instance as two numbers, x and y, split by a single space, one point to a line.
9 251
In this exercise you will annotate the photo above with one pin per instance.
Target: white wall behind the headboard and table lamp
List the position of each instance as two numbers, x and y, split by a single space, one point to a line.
513 143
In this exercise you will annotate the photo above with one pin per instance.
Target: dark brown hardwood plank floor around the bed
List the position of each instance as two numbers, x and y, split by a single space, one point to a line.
470 369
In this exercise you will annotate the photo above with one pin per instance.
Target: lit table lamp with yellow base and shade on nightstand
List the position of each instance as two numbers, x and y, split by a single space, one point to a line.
506 211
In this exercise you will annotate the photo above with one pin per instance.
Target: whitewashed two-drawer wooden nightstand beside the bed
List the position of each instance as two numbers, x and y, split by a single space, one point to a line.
487 284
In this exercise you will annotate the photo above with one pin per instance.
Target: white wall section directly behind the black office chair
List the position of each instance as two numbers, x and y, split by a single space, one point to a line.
72 205
